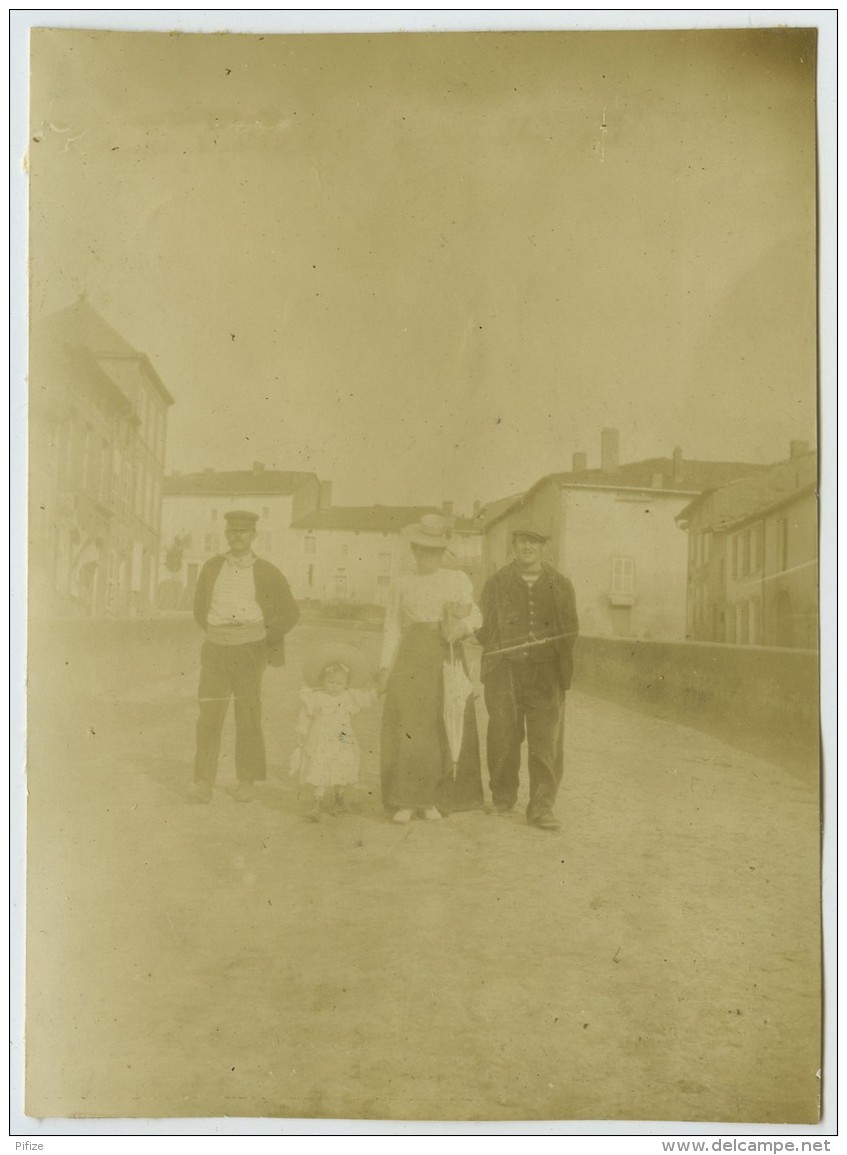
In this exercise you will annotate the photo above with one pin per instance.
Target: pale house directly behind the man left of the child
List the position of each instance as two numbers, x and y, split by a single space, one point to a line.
194 523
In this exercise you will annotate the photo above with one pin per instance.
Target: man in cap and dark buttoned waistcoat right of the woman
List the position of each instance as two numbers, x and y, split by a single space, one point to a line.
529 631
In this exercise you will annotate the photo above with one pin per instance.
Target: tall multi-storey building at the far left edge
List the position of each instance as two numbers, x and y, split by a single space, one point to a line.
99 420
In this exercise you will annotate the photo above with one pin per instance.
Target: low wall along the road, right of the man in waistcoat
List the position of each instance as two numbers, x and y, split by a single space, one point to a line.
761 695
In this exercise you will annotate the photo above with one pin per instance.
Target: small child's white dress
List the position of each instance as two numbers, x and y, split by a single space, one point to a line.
330 754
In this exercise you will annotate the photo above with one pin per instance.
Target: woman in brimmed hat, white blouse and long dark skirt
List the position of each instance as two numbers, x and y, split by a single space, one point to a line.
429 610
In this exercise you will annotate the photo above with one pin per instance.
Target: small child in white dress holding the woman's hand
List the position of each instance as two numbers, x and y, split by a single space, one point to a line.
328 756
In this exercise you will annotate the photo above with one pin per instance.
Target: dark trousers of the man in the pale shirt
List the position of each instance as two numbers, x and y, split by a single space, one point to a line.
232 672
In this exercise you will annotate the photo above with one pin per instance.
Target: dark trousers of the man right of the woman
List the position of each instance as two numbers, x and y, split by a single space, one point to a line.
525 701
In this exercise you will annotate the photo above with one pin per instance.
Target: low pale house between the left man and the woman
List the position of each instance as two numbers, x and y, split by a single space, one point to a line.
353 554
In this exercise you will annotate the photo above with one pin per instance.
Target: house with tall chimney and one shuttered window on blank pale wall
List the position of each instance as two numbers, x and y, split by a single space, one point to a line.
614 533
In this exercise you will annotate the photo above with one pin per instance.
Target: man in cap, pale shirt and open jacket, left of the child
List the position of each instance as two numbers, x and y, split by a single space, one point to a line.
246 607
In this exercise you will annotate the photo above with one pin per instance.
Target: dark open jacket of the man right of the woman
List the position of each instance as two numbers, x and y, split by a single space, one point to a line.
503 629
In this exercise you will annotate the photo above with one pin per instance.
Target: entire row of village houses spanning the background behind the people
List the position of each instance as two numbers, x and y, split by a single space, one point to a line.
663 548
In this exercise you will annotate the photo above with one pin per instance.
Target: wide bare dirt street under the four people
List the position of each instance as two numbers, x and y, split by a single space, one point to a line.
658 959
